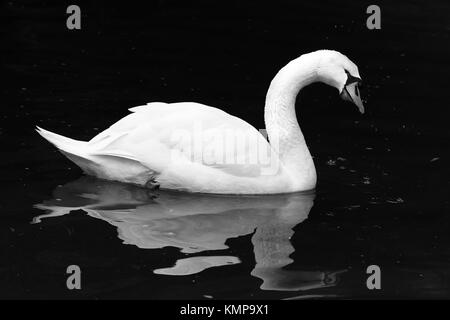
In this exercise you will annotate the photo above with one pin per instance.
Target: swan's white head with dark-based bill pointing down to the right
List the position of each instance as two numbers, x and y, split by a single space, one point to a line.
336 70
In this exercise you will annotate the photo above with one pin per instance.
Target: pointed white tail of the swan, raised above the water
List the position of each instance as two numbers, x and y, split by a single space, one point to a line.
75 150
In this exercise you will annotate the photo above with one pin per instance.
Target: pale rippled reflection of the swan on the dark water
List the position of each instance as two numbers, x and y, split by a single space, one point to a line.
196 223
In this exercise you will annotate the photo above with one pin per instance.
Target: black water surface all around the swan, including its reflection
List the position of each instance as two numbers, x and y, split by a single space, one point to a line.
382 195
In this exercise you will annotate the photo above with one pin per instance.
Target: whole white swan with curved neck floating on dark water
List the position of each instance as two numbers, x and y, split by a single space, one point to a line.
193 147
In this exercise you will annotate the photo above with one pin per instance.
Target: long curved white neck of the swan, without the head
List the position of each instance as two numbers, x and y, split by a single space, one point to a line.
283 130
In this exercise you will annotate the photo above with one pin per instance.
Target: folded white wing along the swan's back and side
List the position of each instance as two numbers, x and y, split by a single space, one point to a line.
157 134
